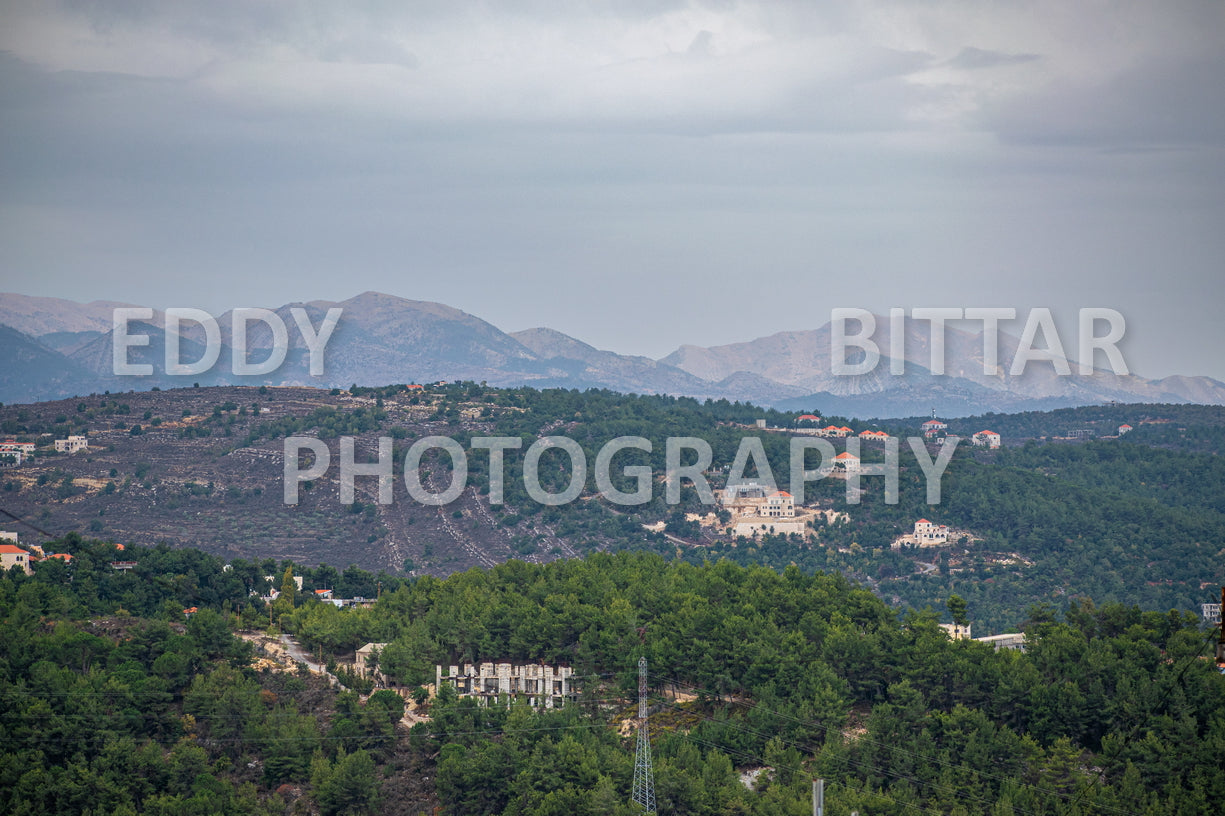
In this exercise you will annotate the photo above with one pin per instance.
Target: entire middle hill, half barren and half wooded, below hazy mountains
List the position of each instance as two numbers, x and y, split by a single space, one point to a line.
1135 520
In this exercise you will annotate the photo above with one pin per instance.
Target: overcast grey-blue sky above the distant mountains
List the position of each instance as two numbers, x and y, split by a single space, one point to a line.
635 175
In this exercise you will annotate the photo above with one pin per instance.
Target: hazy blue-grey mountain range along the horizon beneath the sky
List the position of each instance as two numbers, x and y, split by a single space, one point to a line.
384 339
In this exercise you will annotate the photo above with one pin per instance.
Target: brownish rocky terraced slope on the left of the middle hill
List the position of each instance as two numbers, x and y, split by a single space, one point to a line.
224 492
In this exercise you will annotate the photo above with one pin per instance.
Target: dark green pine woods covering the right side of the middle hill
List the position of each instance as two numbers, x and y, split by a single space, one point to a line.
1135 520
